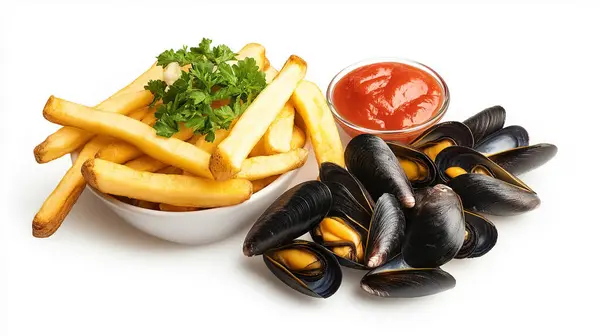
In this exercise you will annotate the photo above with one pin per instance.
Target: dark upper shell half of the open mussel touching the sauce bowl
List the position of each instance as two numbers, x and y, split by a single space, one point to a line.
455 131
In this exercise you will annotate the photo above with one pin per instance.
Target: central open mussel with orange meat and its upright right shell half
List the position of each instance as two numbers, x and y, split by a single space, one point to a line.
363 247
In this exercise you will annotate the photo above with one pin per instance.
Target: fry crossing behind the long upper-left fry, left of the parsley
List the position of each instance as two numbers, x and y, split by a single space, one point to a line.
126 100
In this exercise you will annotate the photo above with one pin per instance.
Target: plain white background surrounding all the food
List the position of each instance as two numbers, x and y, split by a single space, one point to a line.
98 276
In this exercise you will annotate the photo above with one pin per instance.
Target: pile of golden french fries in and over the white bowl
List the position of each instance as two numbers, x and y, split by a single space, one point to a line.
120 154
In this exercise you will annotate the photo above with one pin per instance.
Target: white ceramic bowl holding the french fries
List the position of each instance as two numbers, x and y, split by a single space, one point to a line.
202 226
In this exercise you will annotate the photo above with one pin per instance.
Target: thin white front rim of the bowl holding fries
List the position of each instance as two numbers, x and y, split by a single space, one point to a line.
253 198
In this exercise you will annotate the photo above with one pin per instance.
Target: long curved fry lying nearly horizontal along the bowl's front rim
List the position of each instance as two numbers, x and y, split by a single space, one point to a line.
180 190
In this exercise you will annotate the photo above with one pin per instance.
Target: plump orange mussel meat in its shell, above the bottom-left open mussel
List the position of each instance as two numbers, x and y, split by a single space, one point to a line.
345 239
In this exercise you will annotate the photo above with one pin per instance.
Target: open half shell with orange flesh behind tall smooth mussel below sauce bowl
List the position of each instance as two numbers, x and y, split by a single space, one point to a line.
415 159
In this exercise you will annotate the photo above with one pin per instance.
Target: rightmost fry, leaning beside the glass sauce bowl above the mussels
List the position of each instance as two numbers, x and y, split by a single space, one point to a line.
312 107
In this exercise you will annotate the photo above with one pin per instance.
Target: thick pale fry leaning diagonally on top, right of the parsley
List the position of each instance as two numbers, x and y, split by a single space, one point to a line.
227 159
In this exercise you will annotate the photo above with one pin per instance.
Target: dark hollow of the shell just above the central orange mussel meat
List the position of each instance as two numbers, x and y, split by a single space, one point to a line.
346 206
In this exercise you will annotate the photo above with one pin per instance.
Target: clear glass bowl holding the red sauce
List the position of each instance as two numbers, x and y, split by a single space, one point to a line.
404 135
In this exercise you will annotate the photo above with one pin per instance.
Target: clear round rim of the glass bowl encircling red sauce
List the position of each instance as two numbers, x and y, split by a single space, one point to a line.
408 130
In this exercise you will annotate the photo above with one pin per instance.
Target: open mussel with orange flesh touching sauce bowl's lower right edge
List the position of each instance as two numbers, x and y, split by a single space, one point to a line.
442 135
